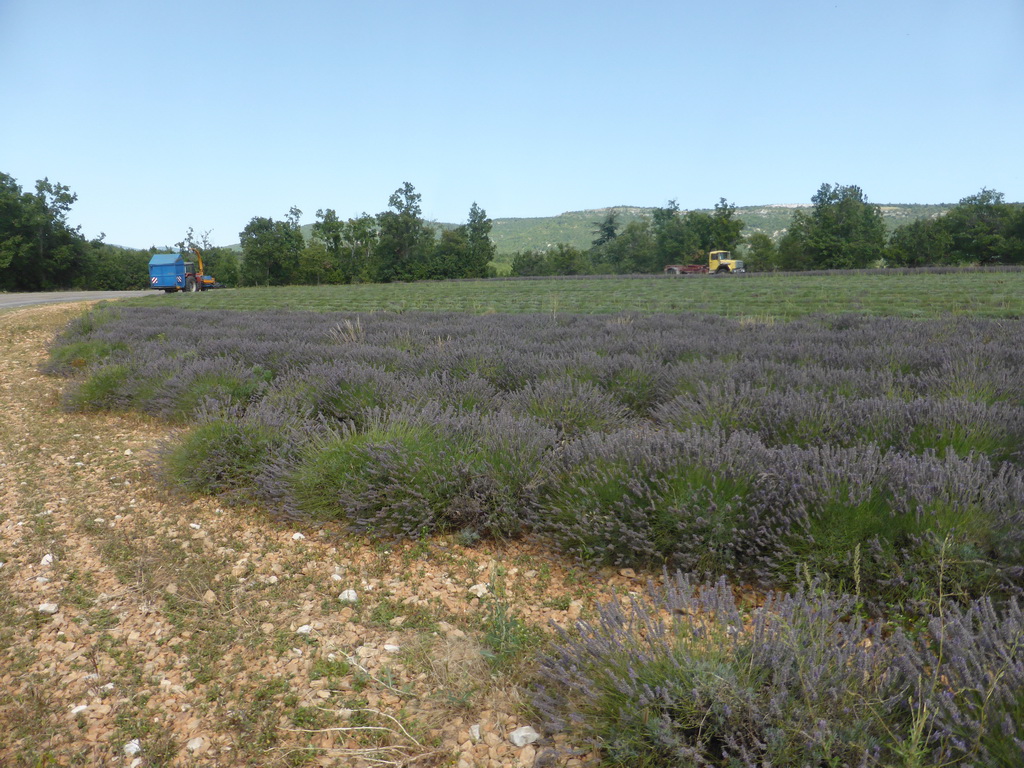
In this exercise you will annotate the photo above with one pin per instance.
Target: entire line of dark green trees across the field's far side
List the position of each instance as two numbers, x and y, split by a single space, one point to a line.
40 250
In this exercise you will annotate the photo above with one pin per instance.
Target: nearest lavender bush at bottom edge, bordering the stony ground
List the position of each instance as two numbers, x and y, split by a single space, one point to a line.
684 678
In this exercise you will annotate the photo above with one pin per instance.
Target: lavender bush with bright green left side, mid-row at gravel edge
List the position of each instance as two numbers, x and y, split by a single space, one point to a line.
418 474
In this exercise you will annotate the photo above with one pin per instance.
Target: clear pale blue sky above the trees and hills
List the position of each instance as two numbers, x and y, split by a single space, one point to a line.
207 113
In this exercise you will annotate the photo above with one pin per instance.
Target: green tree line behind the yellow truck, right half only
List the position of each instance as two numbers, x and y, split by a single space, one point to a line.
841 231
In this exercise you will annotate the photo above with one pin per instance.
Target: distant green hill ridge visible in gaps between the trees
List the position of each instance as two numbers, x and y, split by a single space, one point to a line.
577 228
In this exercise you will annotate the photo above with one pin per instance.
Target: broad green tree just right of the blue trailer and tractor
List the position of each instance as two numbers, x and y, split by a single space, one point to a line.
271 250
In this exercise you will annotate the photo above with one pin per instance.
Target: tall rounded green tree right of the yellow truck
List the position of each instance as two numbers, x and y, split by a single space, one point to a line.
842 232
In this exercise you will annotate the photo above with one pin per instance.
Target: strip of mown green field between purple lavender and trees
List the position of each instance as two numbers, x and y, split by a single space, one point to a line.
757 296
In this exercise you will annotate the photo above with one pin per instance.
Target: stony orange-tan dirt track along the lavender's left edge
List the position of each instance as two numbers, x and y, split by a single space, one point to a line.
141 629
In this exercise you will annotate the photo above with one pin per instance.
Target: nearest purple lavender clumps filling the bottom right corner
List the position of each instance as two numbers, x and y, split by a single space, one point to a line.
690 676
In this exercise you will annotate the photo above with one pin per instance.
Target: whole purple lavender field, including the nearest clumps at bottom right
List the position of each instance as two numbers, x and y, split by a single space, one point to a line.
881 458
